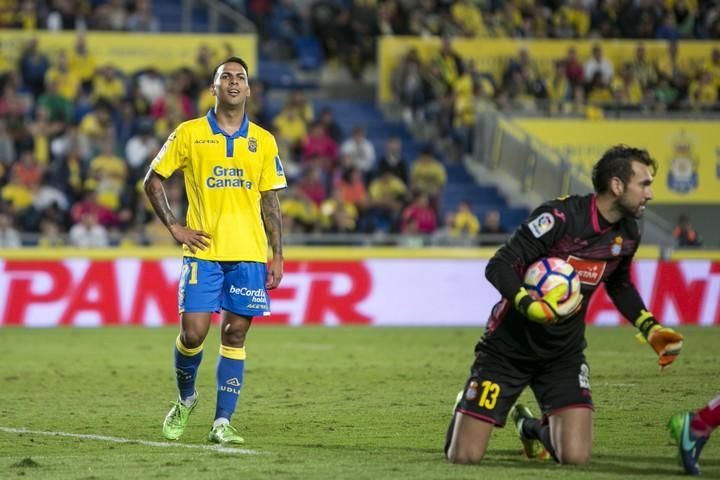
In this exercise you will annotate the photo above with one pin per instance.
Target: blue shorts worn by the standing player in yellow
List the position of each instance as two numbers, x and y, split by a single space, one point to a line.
208 286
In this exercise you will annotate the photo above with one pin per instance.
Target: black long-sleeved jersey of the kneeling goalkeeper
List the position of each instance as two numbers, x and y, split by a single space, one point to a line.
570 228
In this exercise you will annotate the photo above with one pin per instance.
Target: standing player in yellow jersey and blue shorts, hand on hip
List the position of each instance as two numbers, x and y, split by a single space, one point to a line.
232 172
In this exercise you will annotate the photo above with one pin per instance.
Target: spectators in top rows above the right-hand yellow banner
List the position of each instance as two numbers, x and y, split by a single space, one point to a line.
348 29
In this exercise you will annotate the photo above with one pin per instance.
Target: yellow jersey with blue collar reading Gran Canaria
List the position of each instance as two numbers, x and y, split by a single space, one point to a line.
224 176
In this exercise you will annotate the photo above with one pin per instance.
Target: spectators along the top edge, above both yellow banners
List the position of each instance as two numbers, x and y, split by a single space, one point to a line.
347 30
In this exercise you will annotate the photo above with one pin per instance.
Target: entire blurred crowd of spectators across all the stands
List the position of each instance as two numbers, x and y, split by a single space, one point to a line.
77 133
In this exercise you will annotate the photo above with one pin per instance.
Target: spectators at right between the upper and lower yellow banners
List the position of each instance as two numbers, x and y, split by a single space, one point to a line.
446 91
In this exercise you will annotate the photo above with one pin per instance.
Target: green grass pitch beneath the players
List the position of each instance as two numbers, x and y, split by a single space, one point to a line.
320 403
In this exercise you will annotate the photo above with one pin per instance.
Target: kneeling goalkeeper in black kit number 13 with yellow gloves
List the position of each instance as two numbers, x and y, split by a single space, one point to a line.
526 343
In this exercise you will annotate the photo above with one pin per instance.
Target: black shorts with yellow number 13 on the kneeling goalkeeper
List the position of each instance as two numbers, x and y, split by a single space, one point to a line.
496 382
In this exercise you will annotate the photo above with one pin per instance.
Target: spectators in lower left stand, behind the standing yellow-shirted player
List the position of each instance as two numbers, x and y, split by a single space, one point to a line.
77 136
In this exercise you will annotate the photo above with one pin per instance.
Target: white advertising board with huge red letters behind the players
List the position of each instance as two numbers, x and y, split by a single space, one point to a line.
387 292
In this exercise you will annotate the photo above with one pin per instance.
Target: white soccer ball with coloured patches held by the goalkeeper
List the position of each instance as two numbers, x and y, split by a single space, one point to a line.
546 274
